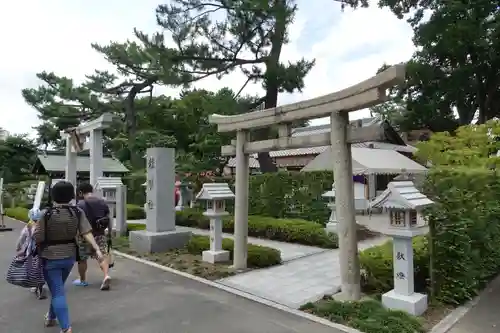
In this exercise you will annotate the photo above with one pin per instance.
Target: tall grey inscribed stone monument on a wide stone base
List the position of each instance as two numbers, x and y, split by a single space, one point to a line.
160 234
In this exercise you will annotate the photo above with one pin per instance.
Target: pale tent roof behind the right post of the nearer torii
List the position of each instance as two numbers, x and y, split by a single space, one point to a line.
369 161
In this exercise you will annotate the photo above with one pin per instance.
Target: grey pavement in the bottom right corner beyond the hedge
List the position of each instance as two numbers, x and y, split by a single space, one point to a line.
484 316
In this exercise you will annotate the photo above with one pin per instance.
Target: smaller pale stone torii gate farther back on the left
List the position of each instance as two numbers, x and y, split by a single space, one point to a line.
76 142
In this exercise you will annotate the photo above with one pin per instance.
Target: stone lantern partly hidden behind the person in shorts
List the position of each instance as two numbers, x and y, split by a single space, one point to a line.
114 192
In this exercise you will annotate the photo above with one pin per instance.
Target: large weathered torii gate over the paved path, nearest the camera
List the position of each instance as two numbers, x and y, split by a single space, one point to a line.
337 105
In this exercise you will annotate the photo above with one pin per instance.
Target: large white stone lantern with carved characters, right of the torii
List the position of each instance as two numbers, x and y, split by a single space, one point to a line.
404 203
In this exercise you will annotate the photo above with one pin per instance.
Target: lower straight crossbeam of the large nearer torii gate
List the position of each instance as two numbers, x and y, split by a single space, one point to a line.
354 135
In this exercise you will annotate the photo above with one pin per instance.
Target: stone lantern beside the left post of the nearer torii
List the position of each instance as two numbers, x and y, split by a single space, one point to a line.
215 196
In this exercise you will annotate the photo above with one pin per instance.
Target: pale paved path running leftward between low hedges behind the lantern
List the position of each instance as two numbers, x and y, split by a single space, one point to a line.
289 251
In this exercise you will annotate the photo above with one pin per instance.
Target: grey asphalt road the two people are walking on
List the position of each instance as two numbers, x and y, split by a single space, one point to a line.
144 299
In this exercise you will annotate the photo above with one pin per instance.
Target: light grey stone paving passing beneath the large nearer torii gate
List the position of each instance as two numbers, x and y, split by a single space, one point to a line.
299 281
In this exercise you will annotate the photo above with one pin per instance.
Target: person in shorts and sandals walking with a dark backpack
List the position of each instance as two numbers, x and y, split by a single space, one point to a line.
97 212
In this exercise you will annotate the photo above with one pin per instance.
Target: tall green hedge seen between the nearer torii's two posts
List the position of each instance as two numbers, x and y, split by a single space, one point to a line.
290 195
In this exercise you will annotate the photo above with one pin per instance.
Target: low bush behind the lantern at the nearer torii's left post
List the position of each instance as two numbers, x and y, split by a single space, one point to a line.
258 256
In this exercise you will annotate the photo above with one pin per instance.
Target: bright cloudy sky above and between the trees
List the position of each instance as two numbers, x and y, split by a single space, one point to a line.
55 35
